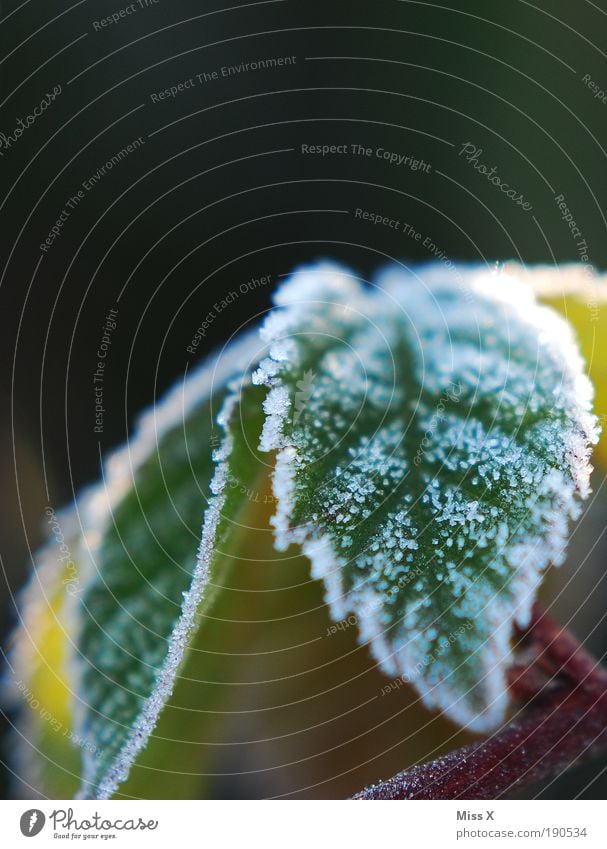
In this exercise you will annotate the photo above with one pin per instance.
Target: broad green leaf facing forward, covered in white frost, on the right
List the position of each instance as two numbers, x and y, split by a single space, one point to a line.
432 469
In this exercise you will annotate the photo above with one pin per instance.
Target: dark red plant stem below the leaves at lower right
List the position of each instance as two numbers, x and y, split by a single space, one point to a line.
564 721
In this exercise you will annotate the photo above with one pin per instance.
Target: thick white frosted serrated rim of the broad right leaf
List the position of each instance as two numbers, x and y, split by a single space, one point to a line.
327 281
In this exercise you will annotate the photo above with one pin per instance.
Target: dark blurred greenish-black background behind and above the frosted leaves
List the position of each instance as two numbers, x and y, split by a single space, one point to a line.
218 191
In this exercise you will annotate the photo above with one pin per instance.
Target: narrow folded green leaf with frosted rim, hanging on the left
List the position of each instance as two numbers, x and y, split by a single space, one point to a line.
146 576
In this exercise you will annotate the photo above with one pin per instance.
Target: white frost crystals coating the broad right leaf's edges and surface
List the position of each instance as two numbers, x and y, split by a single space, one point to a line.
504 307
